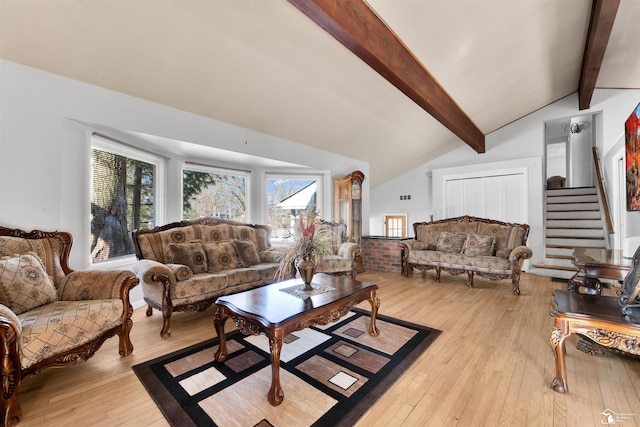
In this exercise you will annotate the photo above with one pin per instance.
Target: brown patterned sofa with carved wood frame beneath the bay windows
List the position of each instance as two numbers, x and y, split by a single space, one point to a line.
187 265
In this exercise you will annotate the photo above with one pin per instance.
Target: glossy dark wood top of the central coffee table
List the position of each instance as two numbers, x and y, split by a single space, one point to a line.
272 307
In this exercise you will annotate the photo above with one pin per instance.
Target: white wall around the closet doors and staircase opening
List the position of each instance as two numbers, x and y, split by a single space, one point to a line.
522 139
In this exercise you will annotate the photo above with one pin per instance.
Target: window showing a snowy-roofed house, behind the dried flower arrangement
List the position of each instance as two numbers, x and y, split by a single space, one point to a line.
287 196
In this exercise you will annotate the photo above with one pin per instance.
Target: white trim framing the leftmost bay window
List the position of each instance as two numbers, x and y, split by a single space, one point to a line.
123 149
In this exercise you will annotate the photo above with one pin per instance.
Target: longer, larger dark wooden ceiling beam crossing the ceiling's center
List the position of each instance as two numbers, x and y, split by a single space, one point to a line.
361 31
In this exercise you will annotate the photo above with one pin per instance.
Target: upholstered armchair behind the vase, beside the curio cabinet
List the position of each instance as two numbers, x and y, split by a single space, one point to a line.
342 261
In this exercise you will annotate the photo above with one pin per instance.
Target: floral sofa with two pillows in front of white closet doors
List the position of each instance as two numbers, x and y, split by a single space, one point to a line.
491 249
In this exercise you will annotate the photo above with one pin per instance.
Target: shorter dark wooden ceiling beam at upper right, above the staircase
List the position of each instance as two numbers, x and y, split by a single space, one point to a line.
603 14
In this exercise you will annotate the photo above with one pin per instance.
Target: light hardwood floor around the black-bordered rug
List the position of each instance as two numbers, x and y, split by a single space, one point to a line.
492 365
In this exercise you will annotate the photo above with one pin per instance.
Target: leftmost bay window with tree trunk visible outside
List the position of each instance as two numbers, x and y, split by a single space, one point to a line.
123 197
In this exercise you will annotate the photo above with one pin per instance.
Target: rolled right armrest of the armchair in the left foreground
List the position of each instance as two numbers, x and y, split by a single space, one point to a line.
96 284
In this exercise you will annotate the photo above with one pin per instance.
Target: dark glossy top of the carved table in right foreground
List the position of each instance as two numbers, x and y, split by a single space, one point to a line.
572 305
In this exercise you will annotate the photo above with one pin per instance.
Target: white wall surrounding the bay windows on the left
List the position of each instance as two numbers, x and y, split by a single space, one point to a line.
44 151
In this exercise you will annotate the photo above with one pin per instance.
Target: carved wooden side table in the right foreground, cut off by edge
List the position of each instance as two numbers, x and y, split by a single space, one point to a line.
598 318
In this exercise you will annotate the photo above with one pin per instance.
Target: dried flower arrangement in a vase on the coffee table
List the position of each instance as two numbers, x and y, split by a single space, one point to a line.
310 244
